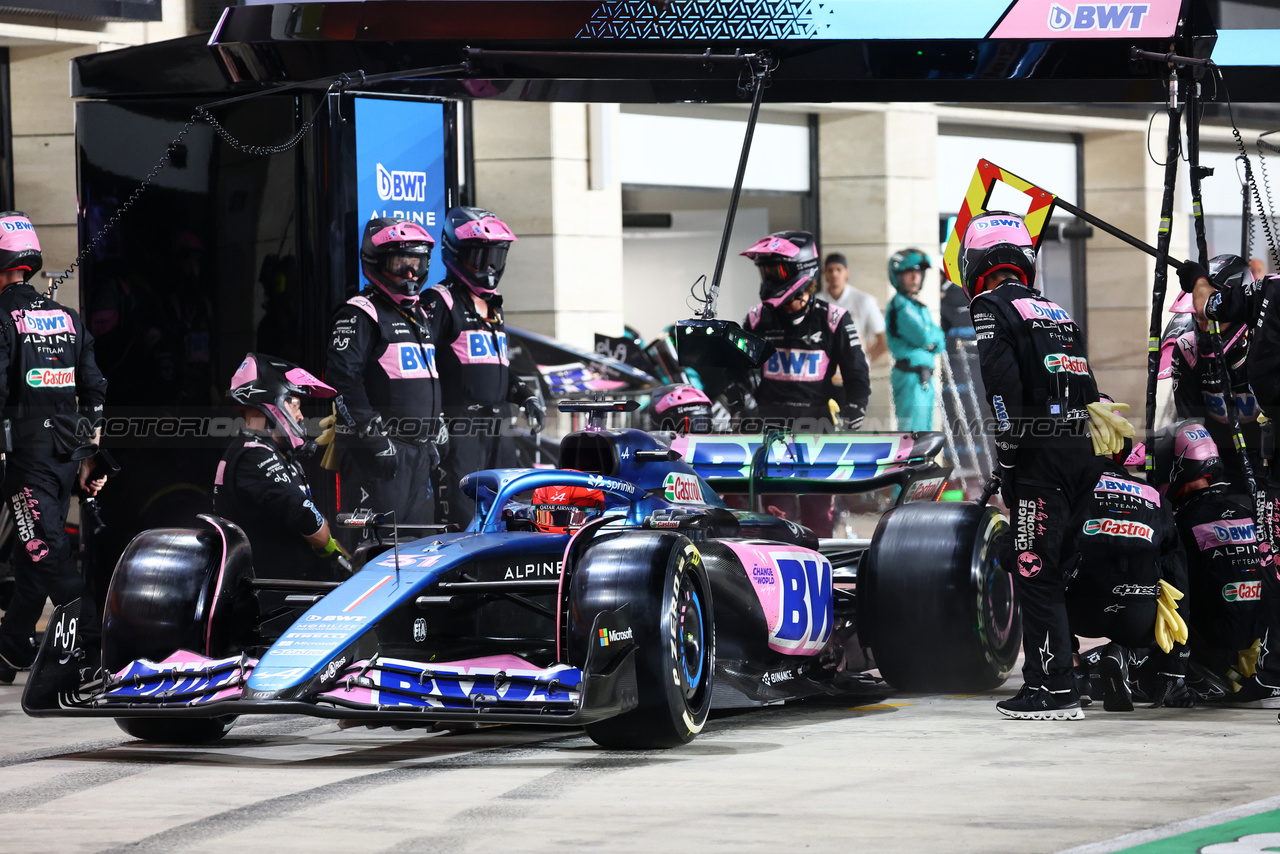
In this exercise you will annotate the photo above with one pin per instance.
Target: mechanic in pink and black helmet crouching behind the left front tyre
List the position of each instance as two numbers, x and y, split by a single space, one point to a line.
260 485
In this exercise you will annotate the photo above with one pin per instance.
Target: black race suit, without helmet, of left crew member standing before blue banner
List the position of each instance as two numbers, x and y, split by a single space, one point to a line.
382 360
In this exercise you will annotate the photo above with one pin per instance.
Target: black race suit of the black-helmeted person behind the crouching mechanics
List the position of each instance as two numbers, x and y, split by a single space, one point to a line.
1199 395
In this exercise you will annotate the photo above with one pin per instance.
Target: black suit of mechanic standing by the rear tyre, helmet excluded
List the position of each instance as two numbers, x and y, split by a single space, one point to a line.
1039 383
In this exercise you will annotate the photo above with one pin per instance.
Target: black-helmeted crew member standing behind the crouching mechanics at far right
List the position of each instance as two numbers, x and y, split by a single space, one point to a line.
1197 372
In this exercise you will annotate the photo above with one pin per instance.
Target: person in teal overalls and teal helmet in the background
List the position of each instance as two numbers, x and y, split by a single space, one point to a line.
915 339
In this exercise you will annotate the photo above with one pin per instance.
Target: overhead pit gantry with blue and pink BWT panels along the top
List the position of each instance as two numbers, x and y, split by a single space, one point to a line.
569 51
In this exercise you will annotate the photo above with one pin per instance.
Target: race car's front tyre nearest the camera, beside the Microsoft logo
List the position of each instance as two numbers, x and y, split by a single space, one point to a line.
664 582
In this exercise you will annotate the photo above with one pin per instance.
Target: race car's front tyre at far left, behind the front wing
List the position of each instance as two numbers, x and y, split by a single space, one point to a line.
179 590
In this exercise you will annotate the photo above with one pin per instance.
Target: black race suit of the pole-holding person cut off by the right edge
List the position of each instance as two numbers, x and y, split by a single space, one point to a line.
1255 304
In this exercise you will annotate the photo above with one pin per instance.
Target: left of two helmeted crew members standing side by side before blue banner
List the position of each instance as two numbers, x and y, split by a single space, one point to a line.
382 362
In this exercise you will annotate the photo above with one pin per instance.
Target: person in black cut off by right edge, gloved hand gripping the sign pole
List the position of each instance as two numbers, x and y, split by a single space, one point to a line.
1254 303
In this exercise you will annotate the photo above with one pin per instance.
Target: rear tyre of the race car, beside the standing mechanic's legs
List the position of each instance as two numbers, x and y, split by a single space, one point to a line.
934 605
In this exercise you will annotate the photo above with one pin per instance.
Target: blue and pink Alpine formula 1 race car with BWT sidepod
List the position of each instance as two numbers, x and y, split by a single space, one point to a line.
637 624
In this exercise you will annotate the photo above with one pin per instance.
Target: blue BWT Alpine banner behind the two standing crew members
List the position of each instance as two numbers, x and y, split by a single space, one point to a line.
400 166
